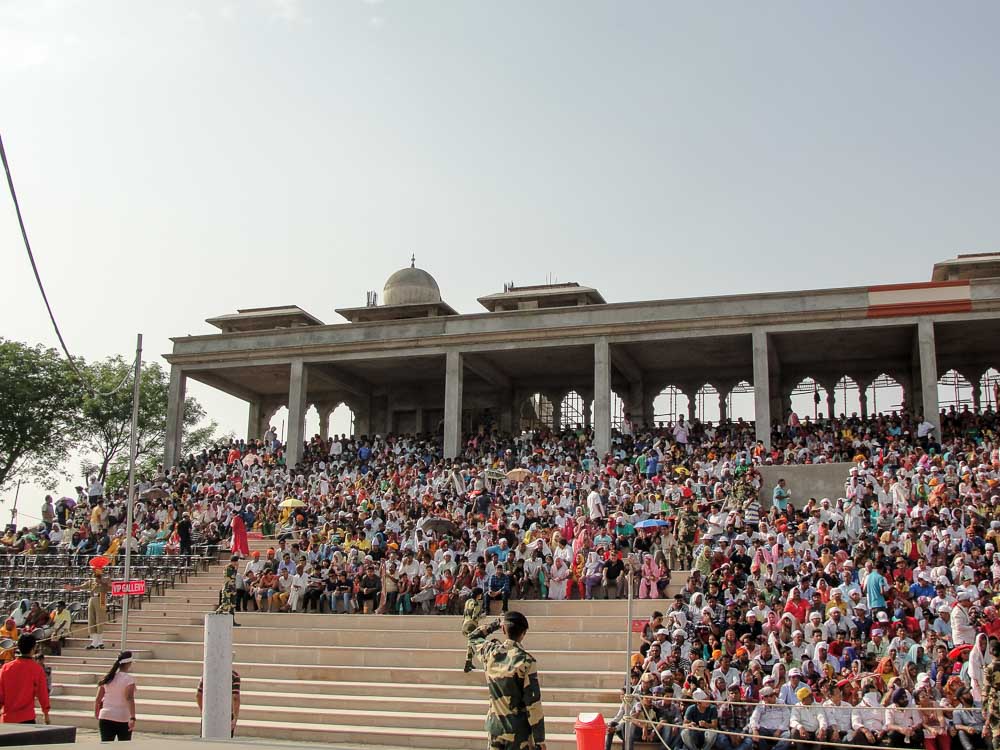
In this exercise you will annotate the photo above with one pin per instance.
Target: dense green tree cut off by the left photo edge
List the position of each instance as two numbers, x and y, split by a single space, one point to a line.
40 400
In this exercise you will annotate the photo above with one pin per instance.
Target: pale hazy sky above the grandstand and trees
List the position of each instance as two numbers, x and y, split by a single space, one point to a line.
177 160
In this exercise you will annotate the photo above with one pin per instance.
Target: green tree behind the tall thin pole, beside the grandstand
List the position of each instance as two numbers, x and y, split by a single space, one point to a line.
106 421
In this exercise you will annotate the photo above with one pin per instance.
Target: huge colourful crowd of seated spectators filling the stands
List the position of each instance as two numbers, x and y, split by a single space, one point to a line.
864 616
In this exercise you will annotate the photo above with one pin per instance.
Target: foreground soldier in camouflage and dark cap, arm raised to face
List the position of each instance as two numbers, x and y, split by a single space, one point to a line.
515 720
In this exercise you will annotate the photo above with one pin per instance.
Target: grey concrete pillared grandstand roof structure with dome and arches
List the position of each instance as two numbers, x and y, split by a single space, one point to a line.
413 364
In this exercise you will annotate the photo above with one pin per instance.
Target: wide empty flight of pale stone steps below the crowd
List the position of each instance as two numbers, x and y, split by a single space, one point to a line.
369 680
